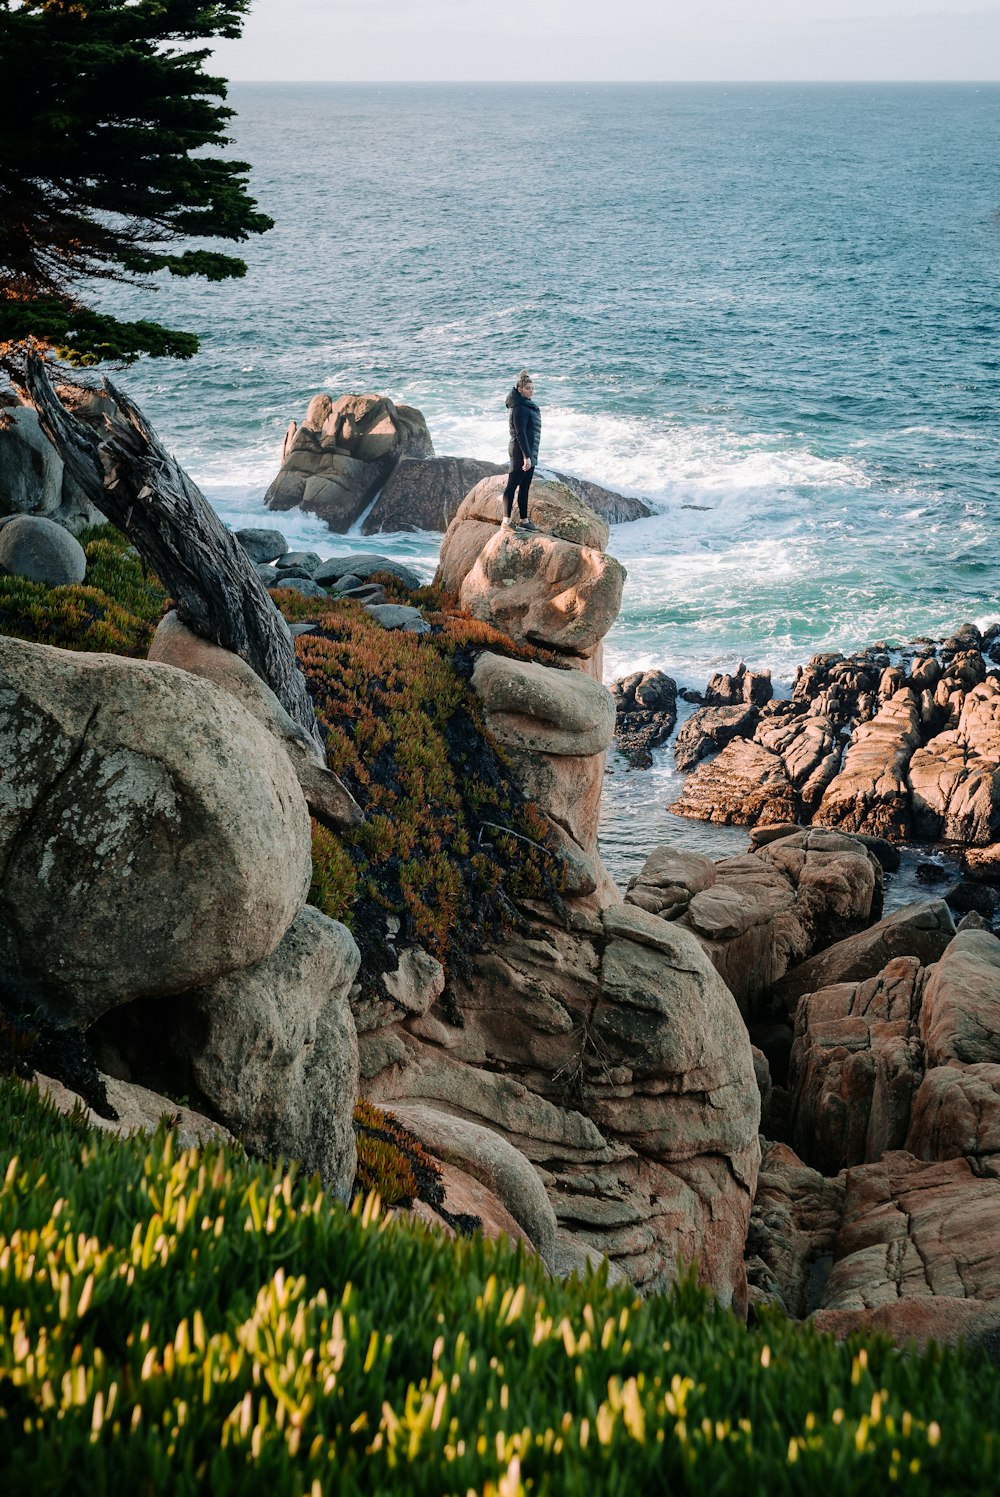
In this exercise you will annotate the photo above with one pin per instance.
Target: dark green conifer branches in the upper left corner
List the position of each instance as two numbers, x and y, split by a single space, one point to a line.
106 121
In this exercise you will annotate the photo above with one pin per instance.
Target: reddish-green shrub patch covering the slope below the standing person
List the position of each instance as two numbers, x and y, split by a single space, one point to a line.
448 842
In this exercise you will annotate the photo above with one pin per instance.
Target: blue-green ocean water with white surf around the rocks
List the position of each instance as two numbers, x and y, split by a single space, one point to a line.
770 311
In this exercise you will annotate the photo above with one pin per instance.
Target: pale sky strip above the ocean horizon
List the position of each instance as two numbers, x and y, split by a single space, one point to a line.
365 41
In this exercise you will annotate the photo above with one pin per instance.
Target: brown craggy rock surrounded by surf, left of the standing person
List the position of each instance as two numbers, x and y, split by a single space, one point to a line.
339 459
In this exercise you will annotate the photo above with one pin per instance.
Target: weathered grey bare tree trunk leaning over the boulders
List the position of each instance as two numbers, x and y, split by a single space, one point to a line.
132 480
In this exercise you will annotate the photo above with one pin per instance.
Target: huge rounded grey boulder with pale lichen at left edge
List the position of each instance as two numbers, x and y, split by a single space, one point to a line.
153 835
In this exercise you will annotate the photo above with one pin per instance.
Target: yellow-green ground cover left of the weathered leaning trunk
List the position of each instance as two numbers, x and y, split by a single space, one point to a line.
115 612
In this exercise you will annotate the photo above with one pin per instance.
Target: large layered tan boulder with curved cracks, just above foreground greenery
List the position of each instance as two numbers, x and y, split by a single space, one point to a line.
615 1059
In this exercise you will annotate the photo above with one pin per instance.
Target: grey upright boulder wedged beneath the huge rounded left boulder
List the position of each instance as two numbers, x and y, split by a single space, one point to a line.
273 1049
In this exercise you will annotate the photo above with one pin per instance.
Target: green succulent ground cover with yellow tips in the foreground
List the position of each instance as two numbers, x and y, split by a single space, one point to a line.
182 1323
